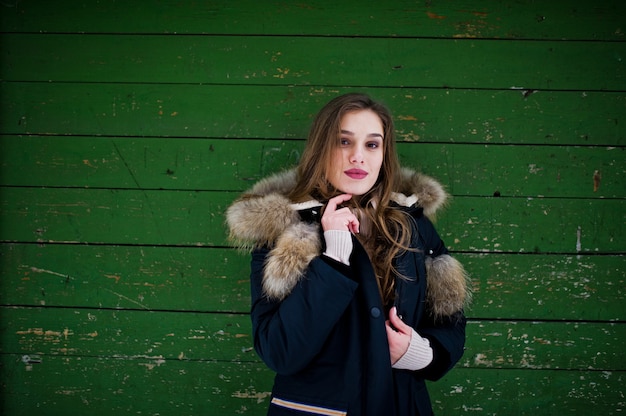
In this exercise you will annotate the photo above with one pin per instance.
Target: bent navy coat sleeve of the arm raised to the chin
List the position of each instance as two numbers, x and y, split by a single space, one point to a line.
288 334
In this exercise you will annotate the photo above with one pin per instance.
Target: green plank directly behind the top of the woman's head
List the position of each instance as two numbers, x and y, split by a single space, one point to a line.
425 115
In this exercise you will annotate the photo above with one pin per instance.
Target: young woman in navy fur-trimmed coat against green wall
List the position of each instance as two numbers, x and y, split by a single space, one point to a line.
355 301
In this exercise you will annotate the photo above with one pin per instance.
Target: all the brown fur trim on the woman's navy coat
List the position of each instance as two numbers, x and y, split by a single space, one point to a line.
264 216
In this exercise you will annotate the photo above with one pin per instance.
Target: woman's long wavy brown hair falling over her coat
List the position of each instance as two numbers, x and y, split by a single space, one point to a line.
386 229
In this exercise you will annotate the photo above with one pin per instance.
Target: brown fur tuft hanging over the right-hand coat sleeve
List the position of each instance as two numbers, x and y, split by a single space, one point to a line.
448 286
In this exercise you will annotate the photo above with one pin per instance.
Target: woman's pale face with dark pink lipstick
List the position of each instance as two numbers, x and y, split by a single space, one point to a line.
358 157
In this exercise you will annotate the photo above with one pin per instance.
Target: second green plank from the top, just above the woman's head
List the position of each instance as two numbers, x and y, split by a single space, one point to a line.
250 60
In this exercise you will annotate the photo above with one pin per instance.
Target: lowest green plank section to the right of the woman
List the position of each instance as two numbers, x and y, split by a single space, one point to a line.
525 392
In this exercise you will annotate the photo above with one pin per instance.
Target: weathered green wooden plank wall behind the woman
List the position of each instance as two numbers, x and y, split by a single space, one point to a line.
127 127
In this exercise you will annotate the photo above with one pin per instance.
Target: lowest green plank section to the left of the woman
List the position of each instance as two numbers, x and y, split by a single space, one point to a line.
131 385
